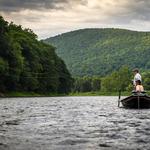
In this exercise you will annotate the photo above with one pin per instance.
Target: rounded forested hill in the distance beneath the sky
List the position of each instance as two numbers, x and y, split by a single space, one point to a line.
102 51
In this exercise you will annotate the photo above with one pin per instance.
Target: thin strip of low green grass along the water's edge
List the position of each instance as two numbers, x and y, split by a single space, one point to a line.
33 94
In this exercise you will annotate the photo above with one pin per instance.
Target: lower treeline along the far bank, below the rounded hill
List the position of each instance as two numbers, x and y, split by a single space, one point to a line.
118 80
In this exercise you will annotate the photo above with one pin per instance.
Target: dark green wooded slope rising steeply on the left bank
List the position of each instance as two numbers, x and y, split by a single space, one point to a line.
27 64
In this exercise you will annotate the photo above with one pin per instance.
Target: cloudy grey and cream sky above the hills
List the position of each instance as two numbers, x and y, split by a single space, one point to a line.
48 18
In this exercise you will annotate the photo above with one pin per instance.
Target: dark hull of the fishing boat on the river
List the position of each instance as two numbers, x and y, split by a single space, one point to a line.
136 101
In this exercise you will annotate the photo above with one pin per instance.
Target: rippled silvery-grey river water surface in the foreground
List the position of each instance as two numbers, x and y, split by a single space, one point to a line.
72 123
